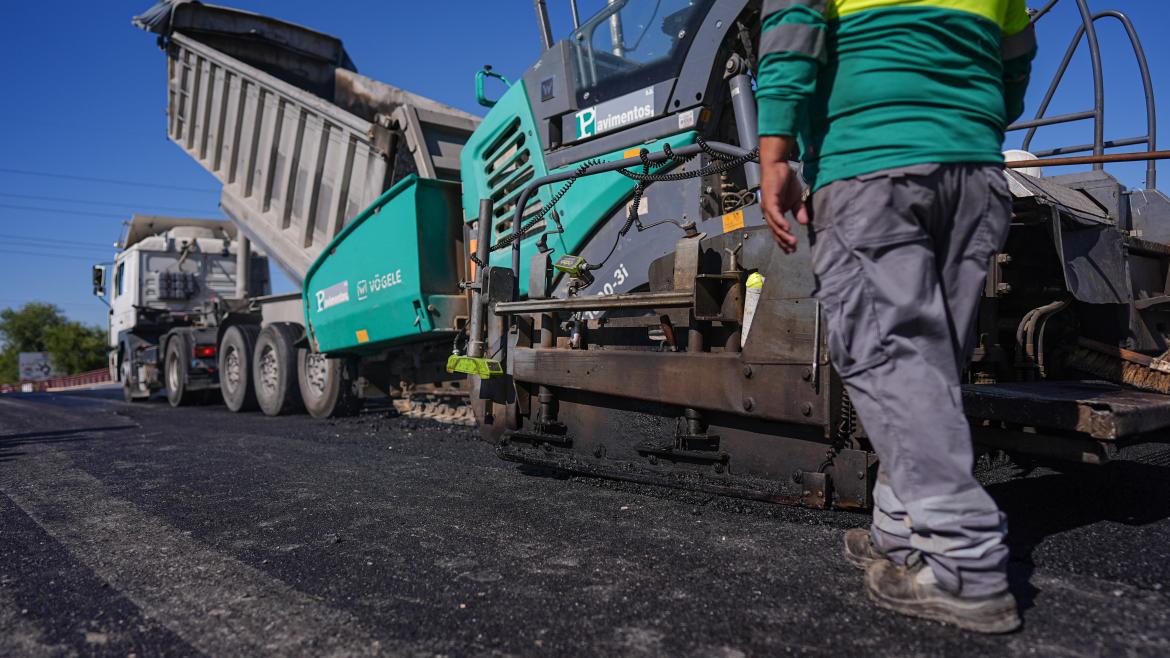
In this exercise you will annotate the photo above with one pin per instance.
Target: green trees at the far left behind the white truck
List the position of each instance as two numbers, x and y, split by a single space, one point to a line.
40 327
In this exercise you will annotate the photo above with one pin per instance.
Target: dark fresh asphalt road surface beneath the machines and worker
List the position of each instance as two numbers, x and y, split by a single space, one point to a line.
140 530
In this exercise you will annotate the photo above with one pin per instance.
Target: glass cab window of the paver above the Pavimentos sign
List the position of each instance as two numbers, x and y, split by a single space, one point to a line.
634 44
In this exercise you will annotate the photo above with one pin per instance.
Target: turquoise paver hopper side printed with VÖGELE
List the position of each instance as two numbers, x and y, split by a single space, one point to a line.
393 276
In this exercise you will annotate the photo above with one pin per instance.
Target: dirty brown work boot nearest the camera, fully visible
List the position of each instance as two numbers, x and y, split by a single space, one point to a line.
914 592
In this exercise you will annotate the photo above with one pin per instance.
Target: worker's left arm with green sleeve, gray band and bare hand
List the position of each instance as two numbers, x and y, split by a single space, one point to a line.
792 52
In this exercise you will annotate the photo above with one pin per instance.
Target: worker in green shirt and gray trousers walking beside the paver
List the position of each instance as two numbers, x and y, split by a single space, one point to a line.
897 111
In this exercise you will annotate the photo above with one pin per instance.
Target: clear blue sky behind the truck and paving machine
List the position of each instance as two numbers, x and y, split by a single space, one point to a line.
85 99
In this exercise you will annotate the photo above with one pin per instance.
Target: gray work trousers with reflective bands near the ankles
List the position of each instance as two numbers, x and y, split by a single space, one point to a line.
901 257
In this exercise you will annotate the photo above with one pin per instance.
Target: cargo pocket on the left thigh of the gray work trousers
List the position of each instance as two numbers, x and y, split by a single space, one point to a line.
856 341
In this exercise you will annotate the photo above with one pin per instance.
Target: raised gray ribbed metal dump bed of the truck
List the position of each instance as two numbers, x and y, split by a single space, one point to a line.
301 142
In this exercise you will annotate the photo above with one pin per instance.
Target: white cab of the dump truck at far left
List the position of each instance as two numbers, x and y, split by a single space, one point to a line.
175 284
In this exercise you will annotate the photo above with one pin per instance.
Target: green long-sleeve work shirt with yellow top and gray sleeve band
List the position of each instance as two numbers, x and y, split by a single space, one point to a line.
872 85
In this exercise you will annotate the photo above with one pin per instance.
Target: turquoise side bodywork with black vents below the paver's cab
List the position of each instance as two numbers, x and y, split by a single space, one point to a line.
505 155
